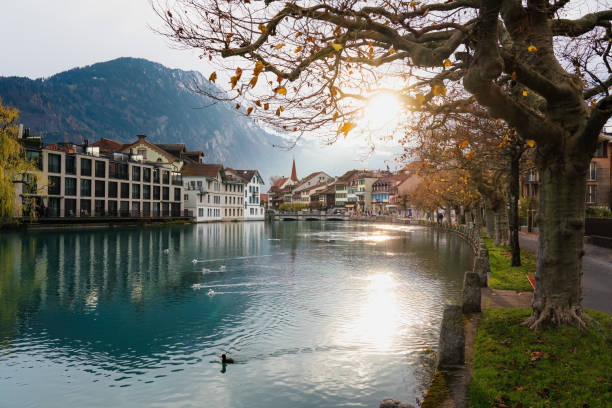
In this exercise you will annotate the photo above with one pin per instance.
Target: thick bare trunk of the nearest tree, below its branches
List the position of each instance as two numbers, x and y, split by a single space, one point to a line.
558 281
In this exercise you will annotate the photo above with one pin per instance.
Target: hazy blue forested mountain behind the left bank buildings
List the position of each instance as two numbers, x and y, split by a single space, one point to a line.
124 97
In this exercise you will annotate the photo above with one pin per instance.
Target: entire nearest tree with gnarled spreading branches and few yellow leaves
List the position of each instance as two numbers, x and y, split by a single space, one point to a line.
313 64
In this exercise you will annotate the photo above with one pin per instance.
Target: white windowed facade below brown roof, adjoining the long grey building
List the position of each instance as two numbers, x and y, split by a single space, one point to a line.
203 197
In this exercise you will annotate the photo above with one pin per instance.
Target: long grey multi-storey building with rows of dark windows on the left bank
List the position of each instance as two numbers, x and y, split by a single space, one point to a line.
79 180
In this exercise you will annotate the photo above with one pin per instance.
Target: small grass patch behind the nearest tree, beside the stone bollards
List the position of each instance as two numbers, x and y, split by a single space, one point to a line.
504 276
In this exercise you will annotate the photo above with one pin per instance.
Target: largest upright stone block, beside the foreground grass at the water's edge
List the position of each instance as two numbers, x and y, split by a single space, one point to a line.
452 338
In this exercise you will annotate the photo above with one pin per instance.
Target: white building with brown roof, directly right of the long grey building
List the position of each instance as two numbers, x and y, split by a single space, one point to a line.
204 190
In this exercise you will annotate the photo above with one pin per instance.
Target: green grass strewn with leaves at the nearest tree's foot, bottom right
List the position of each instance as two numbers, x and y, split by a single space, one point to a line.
563 367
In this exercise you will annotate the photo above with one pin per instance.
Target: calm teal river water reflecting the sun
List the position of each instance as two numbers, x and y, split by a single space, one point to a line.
315 314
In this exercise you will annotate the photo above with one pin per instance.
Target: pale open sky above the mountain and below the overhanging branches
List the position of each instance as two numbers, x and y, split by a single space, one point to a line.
47 37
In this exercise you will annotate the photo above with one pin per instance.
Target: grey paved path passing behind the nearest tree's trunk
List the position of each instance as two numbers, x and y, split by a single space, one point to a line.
597 278
